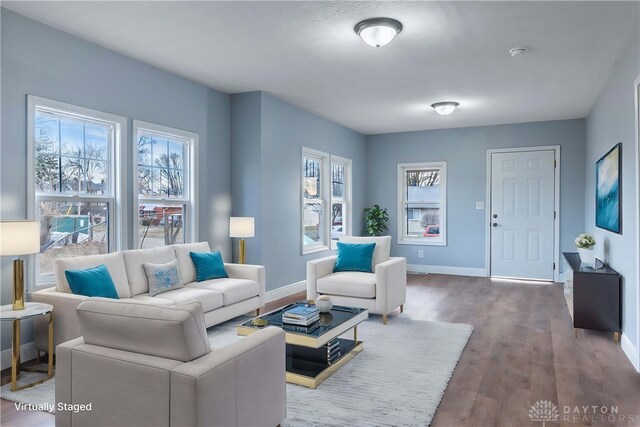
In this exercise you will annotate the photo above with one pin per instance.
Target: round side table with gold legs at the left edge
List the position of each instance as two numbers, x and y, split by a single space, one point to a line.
31 309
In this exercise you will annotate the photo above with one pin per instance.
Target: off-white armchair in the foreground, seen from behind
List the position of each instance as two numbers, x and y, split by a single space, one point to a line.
144 365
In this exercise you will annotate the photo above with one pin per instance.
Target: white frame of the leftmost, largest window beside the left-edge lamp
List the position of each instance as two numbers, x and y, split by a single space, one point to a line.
117 200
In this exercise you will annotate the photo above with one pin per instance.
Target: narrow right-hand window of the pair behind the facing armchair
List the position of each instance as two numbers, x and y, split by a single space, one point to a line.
340 198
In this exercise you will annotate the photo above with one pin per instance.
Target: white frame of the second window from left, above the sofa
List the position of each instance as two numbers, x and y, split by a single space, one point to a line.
190 184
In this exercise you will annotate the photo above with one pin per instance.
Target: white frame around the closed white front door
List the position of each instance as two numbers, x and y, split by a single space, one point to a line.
556 221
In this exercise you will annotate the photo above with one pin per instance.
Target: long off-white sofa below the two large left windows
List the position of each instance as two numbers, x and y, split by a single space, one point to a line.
221 299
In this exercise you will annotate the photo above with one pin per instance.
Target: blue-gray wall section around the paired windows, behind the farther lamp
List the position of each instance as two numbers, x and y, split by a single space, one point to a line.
285 129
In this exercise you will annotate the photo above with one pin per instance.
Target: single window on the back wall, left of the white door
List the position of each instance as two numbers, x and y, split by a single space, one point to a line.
422 203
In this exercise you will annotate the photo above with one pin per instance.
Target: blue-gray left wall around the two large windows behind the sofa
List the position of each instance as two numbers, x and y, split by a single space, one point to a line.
39 60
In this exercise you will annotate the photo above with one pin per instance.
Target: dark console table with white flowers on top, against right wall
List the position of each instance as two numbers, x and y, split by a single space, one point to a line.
593 296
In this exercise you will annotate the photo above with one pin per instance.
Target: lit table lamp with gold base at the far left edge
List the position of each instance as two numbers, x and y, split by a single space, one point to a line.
19 238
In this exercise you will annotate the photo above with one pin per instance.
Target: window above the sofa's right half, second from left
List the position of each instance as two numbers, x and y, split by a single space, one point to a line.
164 167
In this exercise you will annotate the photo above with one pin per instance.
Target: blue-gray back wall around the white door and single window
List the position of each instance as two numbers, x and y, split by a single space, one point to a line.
465 151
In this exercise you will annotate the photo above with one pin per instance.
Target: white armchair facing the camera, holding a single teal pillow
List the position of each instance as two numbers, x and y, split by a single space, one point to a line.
380 292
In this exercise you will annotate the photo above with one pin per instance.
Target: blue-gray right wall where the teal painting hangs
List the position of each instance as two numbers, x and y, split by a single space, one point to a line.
611 121
